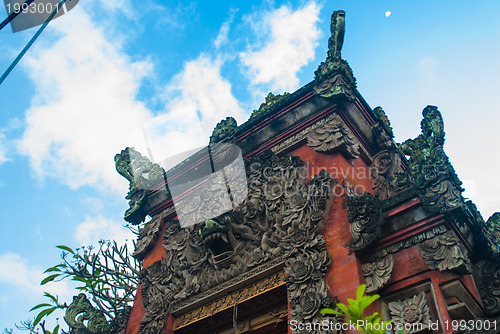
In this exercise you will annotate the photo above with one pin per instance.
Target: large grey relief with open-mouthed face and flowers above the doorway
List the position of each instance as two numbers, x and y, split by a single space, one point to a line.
280 218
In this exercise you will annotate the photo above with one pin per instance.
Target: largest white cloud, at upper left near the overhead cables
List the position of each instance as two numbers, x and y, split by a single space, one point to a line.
85 106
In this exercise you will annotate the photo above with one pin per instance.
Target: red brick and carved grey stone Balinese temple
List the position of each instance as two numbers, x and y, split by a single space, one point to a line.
291 211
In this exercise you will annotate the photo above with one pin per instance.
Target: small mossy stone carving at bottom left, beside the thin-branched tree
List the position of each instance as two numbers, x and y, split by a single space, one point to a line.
83 318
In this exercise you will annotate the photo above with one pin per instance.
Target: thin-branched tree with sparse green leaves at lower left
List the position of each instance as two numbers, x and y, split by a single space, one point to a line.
108 275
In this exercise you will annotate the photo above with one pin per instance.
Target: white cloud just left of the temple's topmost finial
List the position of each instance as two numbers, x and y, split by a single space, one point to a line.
290 39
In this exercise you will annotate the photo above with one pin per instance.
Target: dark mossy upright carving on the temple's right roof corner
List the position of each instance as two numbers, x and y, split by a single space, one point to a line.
429 168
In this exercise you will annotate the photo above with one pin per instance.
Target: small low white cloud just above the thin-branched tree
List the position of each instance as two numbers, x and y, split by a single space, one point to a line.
97 228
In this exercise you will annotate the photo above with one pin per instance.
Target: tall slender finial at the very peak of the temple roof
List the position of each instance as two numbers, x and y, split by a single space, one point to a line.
334 78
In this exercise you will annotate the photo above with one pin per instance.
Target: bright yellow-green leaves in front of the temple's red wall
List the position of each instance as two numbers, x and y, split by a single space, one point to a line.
371 324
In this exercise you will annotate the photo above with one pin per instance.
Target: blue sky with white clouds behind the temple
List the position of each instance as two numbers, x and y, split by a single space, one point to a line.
105 68
